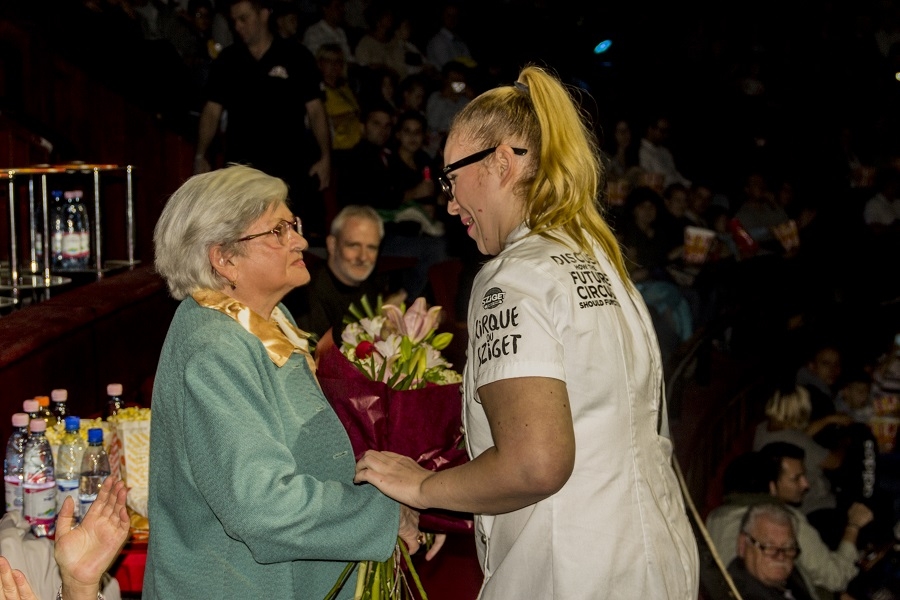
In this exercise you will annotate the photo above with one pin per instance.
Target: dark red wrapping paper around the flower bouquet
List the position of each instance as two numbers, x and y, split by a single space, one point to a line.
424 424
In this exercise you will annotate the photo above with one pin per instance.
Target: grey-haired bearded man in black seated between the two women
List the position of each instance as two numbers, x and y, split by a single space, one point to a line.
346 276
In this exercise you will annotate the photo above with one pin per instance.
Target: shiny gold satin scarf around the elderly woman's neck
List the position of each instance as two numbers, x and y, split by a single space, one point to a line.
280 337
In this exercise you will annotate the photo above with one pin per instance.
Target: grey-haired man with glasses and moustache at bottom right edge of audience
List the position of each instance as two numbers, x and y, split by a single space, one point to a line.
767 546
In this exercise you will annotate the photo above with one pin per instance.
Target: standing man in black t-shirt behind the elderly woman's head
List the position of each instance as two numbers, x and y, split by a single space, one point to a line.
269 90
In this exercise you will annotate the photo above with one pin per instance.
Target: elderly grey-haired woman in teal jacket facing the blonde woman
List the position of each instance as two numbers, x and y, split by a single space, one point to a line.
251 472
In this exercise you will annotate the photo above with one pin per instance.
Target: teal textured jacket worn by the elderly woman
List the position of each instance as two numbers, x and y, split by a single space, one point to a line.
251 473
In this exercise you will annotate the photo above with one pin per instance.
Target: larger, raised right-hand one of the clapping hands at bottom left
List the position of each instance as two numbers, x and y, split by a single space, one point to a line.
85 552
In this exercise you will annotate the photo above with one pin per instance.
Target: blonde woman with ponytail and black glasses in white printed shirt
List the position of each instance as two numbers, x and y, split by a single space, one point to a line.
571 476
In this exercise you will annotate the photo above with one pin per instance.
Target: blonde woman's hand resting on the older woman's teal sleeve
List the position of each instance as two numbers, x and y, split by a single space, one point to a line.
397 476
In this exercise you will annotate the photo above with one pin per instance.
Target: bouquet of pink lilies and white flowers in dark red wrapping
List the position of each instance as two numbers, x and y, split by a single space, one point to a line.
393 390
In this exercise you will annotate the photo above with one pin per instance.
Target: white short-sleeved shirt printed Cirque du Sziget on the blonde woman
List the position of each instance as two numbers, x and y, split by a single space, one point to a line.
617 528
